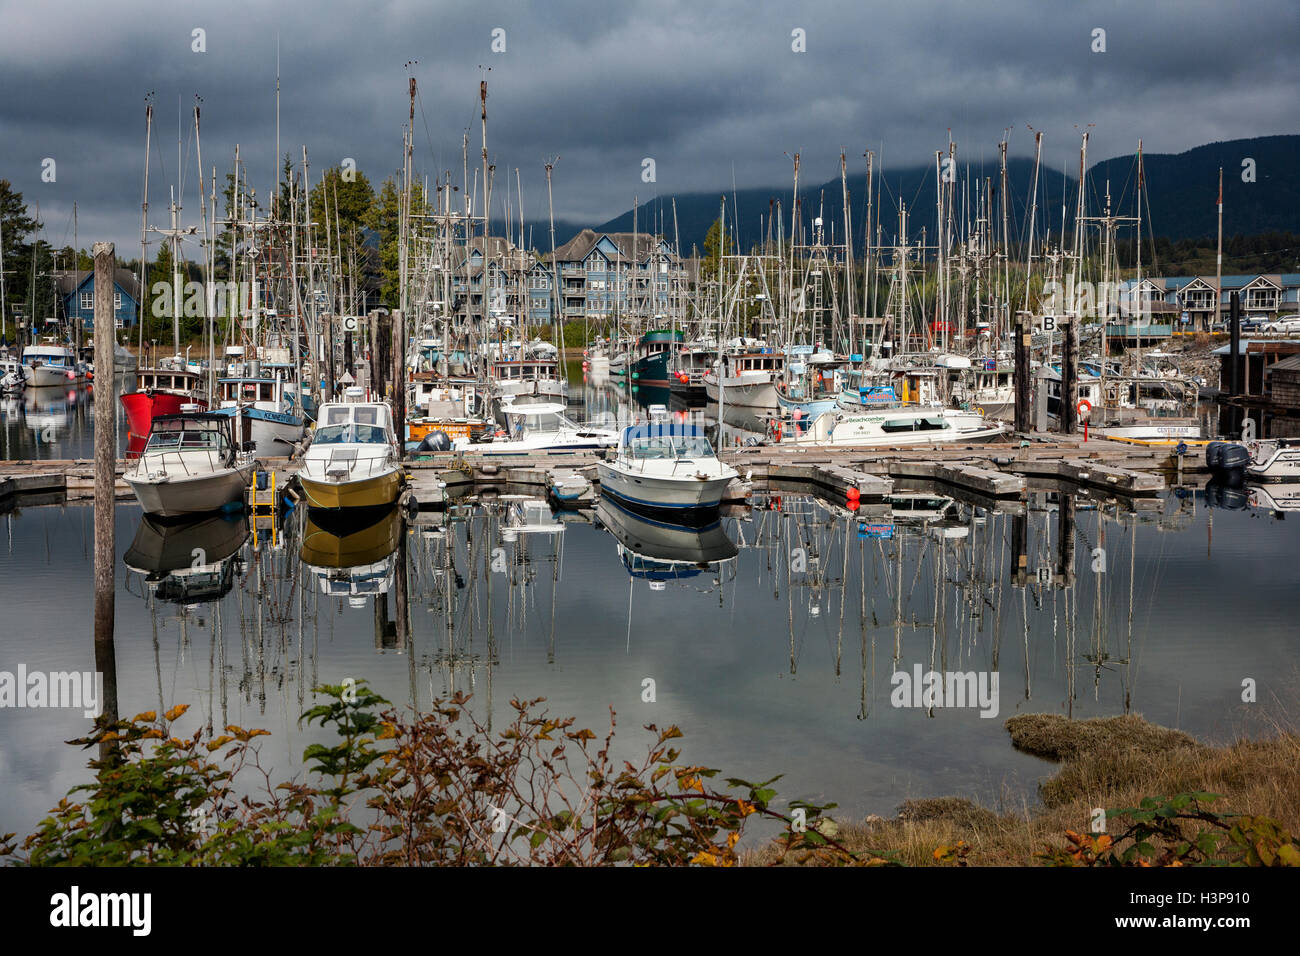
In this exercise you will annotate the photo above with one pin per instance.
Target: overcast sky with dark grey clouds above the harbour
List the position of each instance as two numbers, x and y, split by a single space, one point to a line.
714 93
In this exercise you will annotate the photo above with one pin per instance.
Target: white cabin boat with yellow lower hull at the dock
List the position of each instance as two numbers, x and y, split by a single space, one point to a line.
354 461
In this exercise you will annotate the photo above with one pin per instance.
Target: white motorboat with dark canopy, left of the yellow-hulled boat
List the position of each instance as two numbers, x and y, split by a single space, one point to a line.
189 466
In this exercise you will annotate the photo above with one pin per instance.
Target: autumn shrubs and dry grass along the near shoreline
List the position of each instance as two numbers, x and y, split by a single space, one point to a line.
441 789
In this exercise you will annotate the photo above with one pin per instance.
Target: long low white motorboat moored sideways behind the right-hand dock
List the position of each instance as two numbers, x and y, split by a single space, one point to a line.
899 426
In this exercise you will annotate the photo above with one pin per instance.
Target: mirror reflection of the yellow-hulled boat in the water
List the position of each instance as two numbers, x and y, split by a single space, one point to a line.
352 559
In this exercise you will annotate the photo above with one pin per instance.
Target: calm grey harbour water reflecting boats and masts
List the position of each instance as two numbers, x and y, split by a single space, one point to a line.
770 642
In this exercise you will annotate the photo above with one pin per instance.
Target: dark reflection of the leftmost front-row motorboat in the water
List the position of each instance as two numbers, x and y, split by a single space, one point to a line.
189 561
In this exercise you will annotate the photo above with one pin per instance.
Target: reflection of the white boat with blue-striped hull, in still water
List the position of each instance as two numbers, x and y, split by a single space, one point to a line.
660 552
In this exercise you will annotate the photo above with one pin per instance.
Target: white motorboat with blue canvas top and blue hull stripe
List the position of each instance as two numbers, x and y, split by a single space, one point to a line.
666 468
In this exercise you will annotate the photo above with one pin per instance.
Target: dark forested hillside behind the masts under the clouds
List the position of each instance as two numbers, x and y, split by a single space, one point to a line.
1181 193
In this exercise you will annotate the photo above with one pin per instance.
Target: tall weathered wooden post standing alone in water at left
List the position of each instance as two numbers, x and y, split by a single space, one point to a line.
106 475
